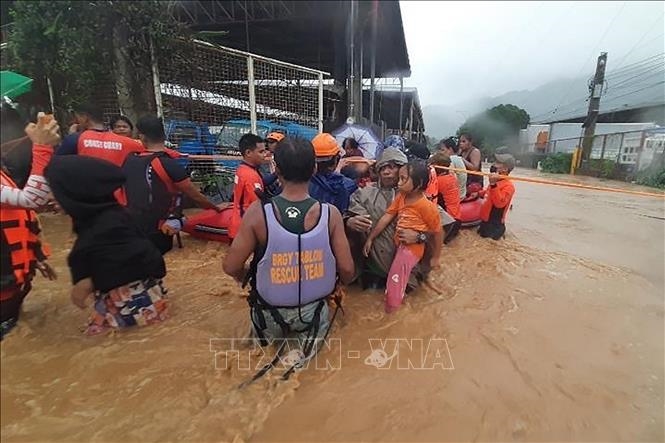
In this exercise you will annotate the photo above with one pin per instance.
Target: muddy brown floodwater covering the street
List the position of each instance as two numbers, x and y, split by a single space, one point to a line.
555 334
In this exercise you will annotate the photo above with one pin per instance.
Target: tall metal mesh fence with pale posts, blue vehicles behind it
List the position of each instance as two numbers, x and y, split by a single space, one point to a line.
211 95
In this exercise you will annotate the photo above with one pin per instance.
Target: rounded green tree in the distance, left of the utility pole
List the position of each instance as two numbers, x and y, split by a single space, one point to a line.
496 126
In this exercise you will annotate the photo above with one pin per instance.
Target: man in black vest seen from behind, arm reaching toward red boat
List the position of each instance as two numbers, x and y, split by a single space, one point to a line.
155 185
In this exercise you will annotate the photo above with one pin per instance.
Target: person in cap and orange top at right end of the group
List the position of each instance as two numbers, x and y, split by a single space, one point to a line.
498 197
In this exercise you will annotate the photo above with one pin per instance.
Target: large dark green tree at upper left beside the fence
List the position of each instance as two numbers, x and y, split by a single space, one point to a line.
81 45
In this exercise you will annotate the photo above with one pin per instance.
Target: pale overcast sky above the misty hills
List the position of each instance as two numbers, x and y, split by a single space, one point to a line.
465 50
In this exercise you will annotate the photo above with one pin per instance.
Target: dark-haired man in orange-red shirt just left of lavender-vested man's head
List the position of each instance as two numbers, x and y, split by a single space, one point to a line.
248 178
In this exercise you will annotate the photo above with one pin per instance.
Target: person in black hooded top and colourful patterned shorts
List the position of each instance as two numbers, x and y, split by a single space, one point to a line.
112 261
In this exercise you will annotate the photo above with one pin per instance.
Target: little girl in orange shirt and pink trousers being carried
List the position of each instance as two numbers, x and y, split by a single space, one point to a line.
413 211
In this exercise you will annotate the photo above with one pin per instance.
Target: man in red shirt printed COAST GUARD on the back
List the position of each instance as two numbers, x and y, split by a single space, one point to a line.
95 140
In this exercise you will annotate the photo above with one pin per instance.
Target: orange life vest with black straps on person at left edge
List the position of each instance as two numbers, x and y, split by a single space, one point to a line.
21 247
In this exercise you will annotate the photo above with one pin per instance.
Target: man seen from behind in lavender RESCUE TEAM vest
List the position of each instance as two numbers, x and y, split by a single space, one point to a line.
299 250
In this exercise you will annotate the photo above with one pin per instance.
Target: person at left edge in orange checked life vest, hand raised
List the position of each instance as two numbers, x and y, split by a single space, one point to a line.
22 251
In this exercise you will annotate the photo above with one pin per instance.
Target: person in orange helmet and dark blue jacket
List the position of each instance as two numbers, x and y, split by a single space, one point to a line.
327 185
